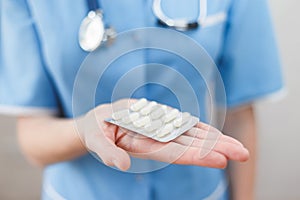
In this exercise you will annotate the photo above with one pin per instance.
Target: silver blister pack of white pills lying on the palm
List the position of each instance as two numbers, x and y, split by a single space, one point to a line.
154 120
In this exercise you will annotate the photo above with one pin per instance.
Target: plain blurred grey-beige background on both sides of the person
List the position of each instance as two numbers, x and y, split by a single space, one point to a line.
279 130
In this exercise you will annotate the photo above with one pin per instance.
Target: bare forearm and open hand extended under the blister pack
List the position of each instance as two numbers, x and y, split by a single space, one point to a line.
50 140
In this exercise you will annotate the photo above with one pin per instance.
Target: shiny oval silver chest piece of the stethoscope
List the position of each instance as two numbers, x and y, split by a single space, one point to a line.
92 31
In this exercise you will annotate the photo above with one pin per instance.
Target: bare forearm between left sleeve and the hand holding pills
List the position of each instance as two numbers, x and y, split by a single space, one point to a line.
48 140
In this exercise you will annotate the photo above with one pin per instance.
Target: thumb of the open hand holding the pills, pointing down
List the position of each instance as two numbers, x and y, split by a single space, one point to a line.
109 153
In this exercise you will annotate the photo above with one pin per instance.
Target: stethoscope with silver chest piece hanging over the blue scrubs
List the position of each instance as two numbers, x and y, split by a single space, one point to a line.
94 32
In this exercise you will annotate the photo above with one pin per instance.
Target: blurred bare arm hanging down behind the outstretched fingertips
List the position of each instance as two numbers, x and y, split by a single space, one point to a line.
240 124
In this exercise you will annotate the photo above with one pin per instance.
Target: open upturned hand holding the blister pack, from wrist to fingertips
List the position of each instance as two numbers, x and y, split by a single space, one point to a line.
203 145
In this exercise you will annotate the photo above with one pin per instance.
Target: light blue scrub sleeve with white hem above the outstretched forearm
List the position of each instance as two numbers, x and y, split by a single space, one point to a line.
25 87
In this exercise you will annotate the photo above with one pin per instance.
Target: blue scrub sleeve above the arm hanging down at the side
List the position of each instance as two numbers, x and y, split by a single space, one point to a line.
249 64
